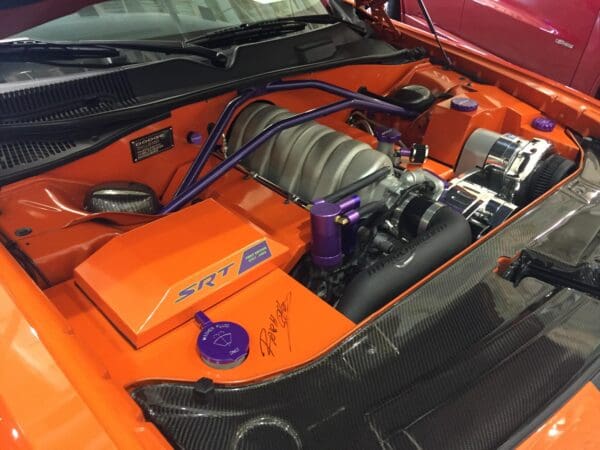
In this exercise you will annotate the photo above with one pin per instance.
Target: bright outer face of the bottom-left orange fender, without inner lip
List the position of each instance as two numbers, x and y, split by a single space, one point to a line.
41 397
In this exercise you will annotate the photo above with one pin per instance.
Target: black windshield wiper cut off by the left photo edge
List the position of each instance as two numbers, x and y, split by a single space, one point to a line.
33 50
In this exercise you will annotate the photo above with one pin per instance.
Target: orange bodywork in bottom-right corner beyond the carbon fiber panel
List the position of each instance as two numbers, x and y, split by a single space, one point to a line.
574 426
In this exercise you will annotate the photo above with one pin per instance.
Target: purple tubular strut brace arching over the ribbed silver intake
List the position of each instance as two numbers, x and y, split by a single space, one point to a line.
191 188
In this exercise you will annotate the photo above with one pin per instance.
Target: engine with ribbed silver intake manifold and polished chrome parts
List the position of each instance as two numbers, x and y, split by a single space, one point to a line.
379 220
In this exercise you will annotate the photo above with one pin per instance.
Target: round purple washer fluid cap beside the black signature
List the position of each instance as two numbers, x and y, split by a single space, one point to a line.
222 345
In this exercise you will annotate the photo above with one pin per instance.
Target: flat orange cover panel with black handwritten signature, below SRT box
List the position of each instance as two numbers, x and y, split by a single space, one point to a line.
279 314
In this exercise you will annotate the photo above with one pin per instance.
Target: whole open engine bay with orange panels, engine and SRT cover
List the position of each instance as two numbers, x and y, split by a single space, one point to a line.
323 225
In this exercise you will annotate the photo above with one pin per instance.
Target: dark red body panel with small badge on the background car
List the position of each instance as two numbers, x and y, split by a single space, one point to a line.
546 36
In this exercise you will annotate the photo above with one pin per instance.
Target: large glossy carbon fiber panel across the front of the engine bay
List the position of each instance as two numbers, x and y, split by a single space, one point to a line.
463 362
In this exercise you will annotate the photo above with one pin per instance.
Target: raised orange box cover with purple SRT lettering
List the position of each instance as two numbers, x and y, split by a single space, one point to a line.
157 276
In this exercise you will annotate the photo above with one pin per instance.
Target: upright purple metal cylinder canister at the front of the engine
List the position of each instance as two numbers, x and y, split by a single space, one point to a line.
326 250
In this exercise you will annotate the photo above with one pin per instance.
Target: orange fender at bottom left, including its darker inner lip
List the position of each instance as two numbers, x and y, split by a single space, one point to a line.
54 396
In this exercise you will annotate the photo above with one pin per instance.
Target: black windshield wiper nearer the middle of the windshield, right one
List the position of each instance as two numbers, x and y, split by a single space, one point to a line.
248 32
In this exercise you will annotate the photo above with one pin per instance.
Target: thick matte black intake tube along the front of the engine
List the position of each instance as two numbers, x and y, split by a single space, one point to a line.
382 282
